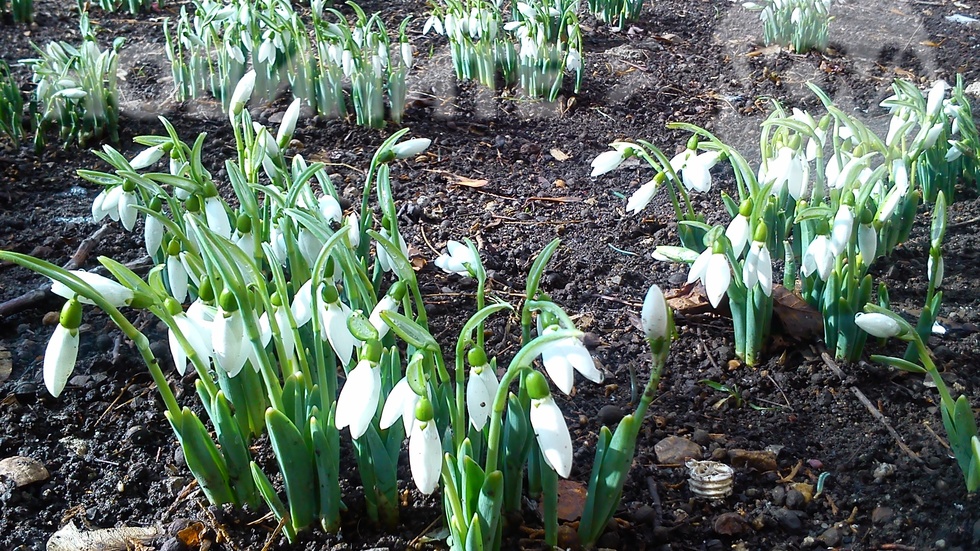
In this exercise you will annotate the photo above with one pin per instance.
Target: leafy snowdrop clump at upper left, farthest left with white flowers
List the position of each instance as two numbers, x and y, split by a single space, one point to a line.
76 89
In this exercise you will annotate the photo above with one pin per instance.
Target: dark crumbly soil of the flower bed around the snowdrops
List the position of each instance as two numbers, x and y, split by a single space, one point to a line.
114 460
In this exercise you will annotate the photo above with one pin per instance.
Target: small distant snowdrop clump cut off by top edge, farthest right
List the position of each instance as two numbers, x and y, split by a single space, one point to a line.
801 24
